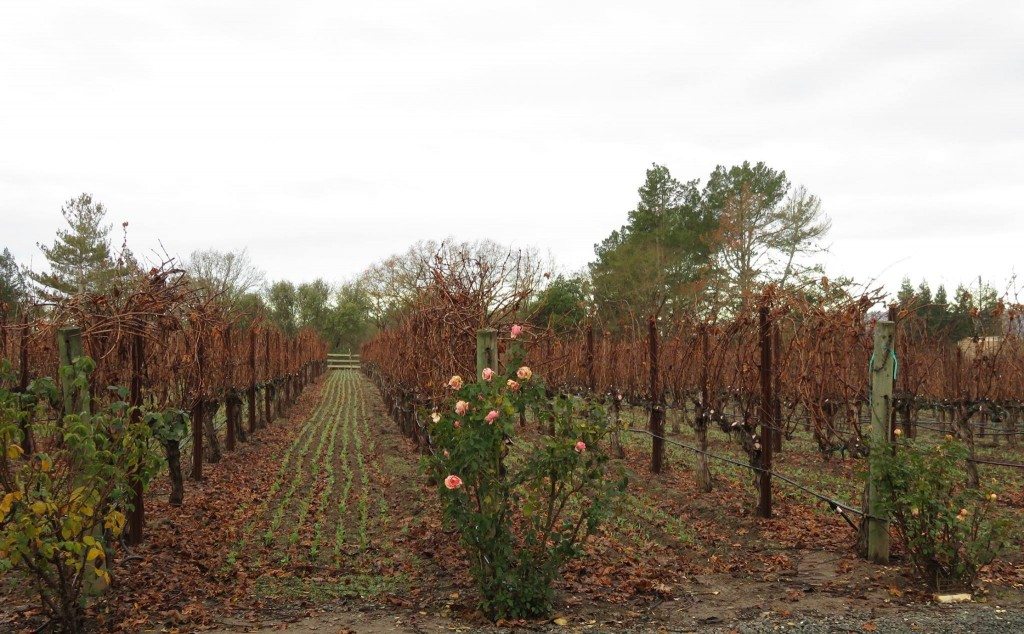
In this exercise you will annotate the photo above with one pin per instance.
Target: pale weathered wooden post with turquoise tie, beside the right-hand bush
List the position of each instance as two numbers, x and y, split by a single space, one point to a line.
882 392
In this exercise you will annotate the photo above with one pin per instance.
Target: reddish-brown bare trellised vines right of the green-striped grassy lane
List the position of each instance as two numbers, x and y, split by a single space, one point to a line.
777 364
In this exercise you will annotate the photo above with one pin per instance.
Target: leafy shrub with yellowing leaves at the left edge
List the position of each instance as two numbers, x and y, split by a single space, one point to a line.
63 506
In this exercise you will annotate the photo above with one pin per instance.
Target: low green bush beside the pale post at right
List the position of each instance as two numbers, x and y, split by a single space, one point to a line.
948 530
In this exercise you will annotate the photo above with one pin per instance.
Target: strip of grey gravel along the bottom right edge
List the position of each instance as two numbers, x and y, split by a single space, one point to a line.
975 619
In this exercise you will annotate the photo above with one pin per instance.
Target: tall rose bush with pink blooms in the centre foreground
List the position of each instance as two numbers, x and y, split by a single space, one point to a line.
522 504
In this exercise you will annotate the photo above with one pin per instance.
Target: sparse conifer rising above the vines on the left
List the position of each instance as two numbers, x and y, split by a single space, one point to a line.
80 258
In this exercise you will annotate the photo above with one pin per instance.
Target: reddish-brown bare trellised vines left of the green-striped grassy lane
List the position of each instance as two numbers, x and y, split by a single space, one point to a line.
179 352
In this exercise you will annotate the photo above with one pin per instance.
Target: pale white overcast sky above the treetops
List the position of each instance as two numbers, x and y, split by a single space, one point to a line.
326 136
